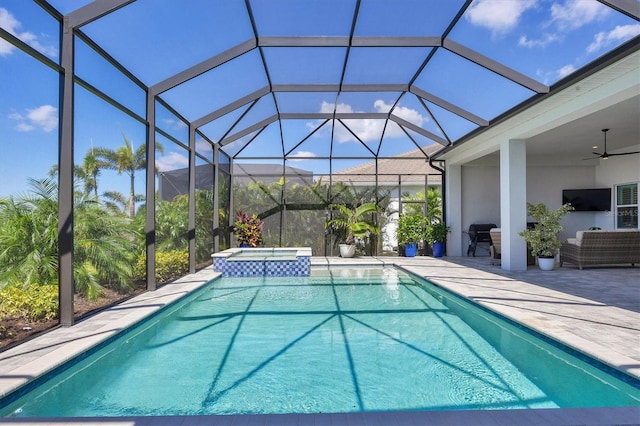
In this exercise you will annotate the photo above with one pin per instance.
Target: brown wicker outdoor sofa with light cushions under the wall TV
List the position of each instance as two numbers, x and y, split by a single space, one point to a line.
602 247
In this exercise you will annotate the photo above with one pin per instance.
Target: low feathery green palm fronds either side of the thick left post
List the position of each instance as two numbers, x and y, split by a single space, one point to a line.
103 254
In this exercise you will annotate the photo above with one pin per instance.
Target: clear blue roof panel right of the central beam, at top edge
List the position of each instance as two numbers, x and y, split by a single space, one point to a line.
405 17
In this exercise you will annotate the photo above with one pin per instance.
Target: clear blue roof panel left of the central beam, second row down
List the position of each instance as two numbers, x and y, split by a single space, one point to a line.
304 65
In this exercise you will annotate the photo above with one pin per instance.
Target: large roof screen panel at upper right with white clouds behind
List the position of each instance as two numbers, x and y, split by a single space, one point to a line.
545 43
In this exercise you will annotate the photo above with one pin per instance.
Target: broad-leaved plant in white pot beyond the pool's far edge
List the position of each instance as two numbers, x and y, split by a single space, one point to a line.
352 221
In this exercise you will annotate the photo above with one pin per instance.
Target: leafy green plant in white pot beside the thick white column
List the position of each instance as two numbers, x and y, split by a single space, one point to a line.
543 238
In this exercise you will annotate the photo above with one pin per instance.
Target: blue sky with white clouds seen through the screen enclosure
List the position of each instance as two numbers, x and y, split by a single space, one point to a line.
542 39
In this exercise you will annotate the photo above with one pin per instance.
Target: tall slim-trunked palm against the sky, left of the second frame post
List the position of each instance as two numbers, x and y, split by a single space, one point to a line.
125 159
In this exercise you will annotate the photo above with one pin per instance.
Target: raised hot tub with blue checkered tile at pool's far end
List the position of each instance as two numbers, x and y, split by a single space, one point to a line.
263 262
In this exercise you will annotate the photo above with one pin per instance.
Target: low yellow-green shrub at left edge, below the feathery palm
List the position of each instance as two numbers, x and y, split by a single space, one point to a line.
34 302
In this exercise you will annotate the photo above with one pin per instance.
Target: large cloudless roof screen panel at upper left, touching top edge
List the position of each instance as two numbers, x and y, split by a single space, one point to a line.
162 40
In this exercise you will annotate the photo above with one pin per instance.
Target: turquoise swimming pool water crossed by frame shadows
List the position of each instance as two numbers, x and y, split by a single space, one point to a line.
341 340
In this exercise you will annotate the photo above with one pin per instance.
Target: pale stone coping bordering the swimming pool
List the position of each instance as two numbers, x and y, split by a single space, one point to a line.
44 353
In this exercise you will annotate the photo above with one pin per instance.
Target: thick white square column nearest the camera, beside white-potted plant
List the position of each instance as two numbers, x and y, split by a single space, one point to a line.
513 204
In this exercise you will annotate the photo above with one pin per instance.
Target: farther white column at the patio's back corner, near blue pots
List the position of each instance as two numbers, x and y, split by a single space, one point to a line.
453 196
